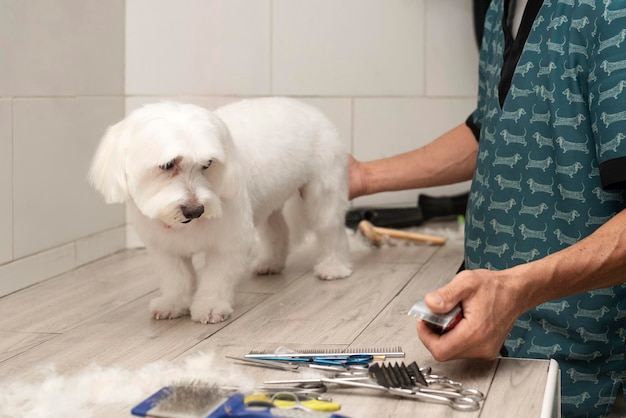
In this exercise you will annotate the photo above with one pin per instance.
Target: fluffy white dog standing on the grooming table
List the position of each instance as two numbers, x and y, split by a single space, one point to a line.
200 181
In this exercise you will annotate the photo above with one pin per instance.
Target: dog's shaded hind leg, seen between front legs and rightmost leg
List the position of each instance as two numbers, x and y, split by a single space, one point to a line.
273 244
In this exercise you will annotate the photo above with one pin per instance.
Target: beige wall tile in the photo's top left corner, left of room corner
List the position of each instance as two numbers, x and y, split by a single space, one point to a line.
61 48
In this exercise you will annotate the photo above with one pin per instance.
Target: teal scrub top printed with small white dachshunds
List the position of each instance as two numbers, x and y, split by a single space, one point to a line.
551 169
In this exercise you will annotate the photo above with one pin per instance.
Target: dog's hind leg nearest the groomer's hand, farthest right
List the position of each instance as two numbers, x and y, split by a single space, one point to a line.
325 206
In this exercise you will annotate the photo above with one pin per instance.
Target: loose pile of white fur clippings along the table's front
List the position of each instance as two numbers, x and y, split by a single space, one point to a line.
95 387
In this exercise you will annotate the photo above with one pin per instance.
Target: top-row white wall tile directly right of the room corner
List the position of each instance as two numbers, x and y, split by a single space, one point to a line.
197 47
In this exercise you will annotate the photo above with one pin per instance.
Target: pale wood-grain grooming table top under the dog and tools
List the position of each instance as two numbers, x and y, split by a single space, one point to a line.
98 315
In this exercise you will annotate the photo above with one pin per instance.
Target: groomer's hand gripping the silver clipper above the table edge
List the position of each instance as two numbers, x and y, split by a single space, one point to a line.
491 304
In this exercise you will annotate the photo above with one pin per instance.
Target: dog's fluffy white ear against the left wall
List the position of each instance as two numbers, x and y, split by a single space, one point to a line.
108 173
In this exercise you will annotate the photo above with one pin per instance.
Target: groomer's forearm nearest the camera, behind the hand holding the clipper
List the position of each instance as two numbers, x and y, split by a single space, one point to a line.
595 262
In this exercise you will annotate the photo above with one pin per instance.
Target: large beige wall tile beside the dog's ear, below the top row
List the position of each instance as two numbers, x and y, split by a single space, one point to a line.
51 160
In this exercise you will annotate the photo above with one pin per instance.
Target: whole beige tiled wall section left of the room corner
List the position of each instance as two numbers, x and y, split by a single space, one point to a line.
61 84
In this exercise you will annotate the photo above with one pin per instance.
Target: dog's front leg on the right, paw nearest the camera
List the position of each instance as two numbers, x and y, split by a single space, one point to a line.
214 298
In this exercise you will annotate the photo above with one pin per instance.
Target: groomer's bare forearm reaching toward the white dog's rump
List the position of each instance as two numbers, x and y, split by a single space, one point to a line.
451 158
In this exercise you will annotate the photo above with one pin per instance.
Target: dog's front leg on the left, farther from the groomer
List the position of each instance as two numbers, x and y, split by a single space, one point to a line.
178 284
